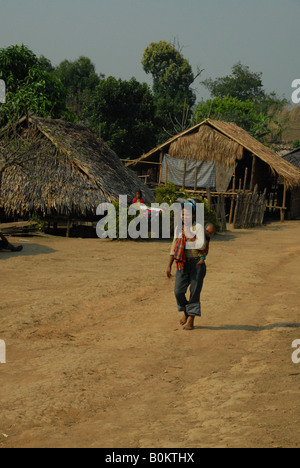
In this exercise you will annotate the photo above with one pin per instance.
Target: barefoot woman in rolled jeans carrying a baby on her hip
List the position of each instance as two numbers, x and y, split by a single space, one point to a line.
190 266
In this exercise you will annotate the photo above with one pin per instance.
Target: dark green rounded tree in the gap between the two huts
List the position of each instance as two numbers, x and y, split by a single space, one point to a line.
122 113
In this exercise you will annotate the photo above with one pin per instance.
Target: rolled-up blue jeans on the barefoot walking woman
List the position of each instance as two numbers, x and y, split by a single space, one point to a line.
192 275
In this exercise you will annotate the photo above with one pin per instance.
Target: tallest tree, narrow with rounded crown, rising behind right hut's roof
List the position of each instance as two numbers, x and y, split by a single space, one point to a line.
172 80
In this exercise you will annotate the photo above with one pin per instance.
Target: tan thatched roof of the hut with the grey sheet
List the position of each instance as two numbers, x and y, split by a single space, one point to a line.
224 143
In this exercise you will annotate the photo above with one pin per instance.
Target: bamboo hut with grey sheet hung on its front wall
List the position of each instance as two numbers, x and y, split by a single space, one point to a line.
224 157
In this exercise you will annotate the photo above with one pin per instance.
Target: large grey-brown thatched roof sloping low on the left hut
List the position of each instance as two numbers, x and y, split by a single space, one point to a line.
68 170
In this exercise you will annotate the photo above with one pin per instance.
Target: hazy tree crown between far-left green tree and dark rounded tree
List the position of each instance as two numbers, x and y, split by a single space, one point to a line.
80 80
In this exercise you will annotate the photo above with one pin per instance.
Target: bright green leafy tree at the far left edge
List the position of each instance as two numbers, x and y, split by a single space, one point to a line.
30 88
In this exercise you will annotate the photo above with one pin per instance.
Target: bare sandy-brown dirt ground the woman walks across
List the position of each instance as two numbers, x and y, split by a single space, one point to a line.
96 356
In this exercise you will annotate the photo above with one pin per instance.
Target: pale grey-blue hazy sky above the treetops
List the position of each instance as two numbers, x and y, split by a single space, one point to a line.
214 35
